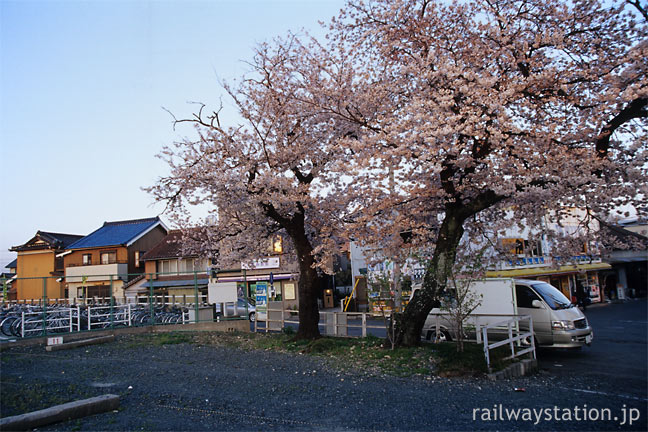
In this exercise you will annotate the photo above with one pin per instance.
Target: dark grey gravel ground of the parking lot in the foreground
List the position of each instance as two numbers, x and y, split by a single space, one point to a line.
194 387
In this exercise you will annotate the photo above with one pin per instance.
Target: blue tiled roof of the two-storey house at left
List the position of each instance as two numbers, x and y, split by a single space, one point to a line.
115 233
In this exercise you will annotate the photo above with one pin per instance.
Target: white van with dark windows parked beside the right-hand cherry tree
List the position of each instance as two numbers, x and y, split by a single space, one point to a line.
557 323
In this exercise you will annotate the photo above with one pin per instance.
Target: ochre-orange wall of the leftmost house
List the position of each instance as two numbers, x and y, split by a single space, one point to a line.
37 264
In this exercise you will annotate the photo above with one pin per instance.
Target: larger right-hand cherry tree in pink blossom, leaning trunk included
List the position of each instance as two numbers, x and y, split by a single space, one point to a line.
489 107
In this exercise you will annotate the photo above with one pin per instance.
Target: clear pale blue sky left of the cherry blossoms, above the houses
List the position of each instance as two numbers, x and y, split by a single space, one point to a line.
82 86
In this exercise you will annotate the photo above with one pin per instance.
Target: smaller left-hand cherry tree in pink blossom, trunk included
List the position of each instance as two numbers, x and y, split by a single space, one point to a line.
273 172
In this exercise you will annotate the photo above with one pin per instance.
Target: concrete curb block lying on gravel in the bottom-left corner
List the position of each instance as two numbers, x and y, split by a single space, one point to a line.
58 413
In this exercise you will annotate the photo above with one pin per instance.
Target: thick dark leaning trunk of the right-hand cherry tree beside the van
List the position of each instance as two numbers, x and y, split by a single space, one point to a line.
409 324
